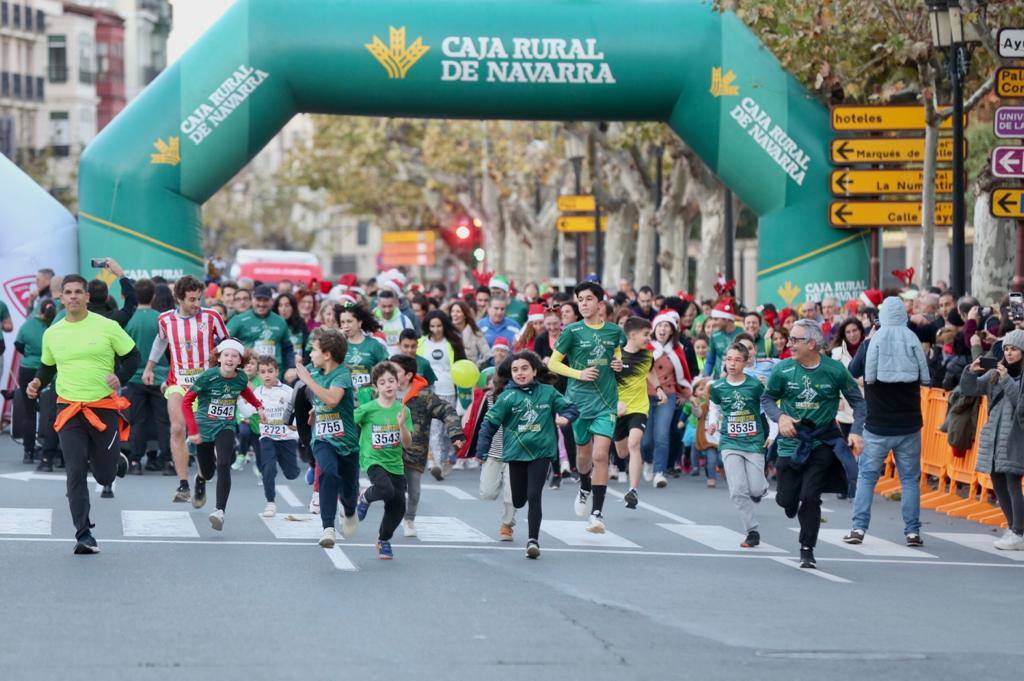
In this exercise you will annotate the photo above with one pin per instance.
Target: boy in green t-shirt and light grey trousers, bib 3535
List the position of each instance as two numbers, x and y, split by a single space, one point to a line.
736 412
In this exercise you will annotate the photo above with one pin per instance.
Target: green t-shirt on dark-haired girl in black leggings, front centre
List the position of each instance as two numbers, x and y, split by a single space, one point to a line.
528 419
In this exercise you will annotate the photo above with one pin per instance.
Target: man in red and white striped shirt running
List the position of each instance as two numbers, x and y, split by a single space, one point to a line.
192 333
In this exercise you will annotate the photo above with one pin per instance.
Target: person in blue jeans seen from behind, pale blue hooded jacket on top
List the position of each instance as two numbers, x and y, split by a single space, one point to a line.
893 366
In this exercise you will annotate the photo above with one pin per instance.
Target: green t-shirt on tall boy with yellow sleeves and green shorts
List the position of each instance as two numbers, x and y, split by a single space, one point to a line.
585 347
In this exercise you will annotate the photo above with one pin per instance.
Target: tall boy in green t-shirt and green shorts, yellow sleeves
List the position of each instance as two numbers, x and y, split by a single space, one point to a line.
589 354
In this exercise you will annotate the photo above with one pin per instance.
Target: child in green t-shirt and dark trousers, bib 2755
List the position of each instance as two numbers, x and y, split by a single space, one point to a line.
336 440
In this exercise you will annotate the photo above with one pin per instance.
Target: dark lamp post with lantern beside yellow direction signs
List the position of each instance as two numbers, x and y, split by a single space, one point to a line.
948 32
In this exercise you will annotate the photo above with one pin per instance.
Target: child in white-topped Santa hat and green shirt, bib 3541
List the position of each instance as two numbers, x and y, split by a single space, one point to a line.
214 429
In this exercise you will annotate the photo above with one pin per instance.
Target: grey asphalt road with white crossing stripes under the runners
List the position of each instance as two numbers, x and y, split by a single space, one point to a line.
667 594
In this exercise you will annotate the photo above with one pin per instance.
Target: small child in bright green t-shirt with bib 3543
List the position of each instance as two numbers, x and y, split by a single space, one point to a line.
383 433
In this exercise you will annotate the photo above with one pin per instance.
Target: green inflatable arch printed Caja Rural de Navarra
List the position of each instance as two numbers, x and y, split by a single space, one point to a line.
145 179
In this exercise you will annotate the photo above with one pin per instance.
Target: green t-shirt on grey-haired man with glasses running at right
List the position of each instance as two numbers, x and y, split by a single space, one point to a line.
808 394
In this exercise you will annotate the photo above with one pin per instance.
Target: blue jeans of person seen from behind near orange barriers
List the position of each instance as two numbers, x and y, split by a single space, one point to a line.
907 451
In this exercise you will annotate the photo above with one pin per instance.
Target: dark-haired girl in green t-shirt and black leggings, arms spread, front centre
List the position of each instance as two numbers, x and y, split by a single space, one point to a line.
527 411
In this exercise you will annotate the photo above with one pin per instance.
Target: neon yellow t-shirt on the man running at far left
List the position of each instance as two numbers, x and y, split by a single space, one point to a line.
84 353
